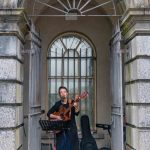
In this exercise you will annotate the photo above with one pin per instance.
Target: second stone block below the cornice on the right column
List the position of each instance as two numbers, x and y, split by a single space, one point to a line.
138 69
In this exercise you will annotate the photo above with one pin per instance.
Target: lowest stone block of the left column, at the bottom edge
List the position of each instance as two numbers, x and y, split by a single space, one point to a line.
11 140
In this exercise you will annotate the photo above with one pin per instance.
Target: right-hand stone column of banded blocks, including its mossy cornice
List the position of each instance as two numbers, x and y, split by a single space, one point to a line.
136 31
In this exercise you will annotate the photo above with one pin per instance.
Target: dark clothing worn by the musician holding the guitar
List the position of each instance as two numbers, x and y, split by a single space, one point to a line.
71 134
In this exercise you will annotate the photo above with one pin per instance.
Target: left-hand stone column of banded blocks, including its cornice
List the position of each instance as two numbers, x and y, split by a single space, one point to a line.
12 28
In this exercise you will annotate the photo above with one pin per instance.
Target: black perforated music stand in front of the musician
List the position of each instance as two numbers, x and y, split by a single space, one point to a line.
51 125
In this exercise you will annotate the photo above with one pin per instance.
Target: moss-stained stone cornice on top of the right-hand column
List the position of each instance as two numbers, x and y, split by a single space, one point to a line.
135 22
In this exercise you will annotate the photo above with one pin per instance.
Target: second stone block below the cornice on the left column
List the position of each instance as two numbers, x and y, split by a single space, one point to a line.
11 69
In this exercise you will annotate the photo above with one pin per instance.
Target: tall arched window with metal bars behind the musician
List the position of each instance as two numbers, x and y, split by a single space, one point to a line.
71 63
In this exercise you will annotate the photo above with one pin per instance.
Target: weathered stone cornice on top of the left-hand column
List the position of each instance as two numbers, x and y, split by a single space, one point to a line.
14 22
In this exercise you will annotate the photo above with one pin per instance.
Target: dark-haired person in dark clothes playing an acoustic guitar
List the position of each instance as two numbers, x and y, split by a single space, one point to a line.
65 109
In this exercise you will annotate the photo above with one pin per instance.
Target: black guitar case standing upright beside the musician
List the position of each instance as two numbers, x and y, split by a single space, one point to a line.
87 141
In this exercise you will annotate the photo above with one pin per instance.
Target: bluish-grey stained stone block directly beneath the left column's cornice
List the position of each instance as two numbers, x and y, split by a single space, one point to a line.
11 46
